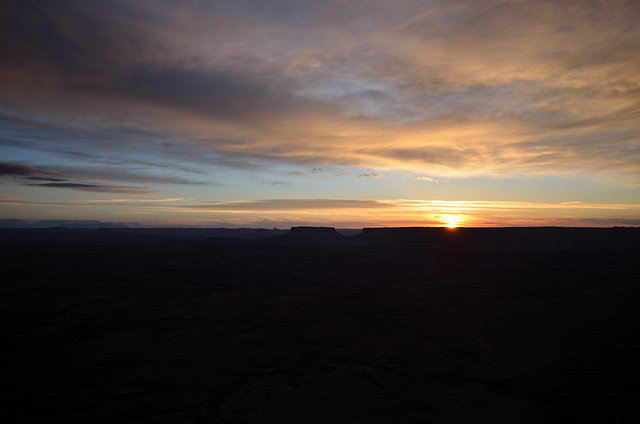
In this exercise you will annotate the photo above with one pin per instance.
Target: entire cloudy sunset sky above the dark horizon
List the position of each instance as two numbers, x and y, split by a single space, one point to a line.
336 113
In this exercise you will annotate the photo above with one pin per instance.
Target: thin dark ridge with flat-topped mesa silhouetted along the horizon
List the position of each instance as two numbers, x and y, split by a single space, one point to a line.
494 238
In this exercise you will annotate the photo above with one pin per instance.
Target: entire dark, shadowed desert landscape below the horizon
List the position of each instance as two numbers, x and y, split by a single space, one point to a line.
390 325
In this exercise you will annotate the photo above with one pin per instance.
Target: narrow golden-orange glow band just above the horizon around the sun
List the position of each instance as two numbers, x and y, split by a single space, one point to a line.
334 212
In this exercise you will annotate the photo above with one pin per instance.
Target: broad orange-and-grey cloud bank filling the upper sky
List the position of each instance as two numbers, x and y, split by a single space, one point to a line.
459 88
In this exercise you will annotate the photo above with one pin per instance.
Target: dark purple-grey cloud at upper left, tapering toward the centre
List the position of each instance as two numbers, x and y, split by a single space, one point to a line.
92 50
